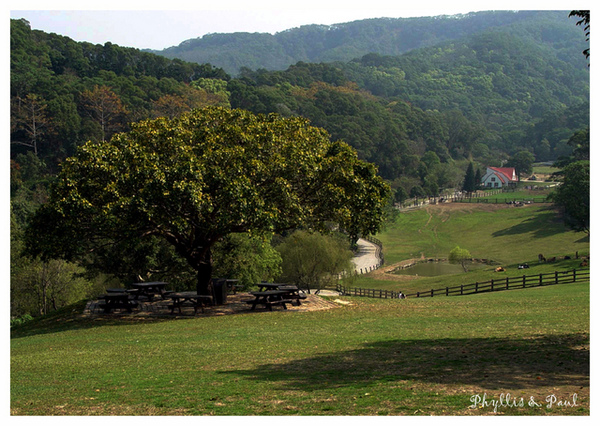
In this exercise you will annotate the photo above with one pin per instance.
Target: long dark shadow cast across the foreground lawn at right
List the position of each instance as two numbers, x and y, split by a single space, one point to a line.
487 362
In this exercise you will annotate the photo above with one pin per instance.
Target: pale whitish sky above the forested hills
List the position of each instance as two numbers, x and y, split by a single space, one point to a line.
170 22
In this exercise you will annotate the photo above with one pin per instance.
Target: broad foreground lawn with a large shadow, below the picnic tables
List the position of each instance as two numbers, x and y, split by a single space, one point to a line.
373 357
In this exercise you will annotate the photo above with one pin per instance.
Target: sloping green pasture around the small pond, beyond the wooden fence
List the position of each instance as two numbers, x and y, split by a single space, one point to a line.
509 236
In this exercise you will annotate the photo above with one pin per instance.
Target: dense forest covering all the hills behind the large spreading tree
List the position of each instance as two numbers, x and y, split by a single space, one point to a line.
479 92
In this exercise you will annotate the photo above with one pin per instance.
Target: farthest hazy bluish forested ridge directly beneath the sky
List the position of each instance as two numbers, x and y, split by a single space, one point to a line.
385 36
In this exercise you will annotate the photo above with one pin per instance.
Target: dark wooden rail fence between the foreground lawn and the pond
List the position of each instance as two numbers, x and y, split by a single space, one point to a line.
508 283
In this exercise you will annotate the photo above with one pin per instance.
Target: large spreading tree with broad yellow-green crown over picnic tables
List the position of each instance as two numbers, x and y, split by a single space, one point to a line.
194 179
